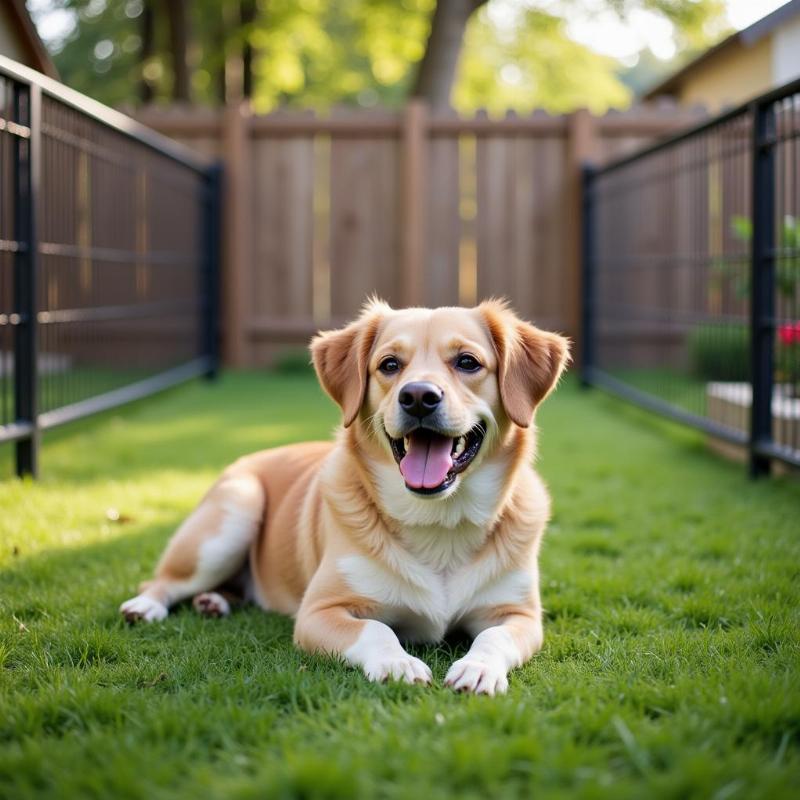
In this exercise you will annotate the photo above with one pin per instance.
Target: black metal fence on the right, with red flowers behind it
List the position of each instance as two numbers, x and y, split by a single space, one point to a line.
692 277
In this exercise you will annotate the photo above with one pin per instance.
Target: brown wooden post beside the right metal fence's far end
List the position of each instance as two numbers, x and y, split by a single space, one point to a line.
581 146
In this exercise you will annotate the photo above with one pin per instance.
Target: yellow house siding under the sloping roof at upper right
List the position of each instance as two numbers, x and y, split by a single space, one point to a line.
731 77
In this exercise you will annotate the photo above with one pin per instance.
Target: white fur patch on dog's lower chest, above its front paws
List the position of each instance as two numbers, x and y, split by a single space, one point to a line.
422 603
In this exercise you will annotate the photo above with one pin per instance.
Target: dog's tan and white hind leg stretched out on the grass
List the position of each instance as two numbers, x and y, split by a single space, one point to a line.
208 549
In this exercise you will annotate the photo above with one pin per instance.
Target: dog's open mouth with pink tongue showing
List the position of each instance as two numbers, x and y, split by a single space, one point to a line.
429 461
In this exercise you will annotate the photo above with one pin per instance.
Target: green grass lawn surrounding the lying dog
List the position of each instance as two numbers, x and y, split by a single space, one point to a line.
670 666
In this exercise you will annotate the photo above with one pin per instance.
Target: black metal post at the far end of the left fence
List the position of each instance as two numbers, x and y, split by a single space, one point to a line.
211 288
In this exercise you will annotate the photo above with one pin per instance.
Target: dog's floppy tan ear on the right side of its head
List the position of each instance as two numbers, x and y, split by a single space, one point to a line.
529 361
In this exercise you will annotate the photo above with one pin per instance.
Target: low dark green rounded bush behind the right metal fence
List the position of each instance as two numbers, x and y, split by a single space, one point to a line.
720 352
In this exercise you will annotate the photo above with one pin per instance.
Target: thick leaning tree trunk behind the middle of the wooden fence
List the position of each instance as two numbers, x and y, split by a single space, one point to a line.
437 70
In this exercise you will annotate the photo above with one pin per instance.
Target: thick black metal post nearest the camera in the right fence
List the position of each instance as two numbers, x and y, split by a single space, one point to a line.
762 281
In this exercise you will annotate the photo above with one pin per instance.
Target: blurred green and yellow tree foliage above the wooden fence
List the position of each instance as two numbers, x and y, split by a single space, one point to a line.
317 53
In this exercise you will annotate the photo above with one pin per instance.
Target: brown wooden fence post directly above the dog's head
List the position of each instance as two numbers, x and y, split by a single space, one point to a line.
413 201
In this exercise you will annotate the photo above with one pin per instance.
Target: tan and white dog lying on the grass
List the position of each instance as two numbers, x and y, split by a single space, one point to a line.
425 515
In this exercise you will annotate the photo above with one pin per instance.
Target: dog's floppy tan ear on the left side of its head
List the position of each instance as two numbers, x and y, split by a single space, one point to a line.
341 358
